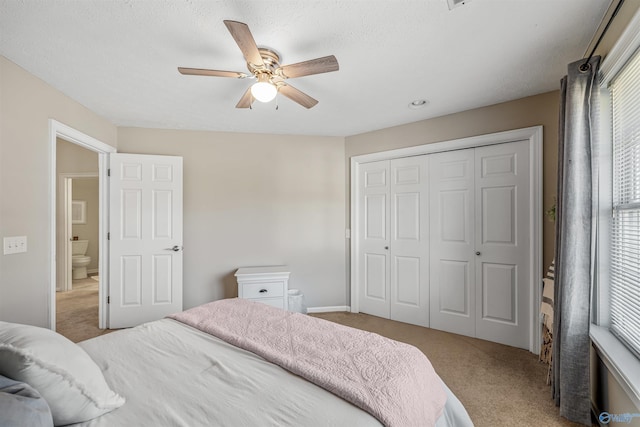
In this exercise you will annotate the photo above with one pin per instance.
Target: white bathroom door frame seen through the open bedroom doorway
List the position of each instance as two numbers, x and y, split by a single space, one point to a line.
64 187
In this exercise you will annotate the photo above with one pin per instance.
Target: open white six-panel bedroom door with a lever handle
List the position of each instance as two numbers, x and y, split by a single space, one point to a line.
145 238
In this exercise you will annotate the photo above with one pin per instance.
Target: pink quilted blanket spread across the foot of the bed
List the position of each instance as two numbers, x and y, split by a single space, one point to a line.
393 381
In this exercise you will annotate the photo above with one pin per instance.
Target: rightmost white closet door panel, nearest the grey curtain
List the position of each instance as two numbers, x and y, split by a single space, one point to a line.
502 243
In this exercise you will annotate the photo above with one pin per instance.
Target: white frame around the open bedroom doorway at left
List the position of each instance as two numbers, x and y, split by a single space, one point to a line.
62 131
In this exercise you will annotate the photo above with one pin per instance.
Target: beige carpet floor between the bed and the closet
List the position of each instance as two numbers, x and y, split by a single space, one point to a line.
499 385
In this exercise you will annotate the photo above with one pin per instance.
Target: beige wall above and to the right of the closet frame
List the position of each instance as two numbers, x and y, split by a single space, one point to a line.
521 113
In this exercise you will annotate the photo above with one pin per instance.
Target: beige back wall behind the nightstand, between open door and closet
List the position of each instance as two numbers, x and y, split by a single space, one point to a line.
254 200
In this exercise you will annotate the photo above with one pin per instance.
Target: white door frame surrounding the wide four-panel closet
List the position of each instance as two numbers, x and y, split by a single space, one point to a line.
534 135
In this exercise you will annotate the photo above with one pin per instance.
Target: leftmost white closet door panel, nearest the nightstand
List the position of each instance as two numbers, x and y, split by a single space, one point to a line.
373 240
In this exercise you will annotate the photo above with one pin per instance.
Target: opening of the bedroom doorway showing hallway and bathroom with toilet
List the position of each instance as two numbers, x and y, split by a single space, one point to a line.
77 241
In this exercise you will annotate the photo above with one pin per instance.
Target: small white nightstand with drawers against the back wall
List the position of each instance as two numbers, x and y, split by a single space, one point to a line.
268 285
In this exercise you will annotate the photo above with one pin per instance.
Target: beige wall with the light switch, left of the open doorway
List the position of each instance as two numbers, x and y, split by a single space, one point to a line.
26 105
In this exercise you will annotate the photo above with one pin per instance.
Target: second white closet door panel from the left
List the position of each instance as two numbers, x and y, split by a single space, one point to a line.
409 248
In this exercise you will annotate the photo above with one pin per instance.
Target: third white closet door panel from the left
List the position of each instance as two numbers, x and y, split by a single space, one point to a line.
452 290
